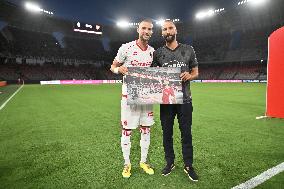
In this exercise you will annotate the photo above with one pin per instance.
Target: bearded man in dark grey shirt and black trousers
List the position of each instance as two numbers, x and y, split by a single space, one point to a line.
175 54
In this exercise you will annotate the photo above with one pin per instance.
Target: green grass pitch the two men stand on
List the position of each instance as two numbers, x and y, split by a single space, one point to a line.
69 137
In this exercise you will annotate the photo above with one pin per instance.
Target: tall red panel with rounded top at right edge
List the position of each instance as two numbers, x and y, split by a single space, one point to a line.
275 68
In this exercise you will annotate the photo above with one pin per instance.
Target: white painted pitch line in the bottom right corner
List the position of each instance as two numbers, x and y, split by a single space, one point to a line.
261 178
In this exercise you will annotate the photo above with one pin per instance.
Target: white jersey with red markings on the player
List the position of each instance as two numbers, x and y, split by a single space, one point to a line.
132 55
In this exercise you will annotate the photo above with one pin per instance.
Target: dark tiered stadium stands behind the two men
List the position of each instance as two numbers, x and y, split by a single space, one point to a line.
228 46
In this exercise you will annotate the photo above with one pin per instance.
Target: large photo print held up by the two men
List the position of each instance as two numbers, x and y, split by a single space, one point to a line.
154 85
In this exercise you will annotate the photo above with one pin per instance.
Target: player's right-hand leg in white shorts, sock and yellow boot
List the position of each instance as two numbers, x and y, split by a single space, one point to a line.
146 120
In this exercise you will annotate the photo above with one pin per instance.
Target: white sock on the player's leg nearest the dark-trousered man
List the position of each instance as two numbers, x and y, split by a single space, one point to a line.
144 143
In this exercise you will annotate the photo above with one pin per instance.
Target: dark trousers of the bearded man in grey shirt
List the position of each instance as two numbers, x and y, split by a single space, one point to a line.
184 115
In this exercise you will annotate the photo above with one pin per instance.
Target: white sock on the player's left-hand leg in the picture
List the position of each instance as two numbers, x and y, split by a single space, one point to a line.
126 145
